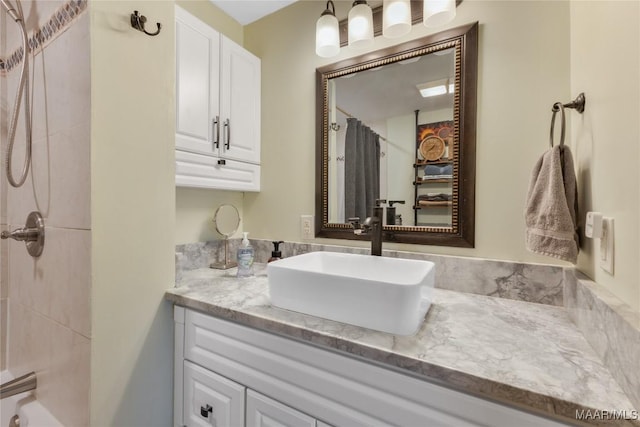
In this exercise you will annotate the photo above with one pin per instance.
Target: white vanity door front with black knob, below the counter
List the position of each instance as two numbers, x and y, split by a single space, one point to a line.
210 399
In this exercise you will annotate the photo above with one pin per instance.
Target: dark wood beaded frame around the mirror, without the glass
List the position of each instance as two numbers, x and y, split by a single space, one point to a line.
462 232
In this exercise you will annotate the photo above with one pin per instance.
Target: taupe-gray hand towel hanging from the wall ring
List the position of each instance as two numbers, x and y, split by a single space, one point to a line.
552 207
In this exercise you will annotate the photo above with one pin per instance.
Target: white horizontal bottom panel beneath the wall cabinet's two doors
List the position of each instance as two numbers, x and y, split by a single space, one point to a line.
197 170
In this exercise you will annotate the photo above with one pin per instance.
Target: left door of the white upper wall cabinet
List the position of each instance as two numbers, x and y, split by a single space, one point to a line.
197 84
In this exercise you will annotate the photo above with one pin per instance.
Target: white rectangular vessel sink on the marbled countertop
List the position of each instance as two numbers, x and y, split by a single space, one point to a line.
386 294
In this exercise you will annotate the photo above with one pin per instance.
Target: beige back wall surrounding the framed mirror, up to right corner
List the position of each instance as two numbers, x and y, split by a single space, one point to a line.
523 69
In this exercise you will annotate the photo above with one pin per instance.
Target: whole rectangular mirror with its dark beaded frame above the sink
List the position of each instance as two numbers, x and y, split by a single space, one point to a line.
399 125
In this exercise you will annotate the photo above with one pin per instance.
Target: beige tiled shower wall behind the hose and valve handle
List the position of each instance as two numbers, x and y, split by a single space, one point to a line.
46 301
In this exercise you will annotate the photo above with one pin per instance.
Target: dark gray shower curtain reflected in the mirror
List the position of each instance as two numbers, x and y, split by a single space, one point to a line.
361 169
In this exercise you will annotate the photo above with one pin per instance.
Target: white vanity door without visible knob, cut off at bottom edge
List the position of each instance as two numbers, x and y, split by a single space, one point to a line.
265 412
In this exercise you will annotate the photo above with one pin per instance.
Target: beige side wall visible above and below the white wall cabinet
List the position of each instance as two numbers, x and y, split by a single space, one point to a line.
195 208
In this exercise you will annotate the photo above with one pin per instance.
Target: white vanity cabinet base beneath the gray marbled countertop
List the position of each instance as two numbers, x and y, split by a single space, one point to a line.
292 383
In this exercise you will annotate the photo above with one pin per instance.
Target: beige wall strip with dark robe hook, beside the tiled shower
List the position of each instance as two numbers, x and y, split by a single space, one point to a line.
133 214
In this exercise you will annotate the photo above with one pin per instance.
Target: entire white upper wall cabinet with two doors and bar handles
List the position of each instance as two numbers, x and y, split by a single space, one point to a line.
217 109
